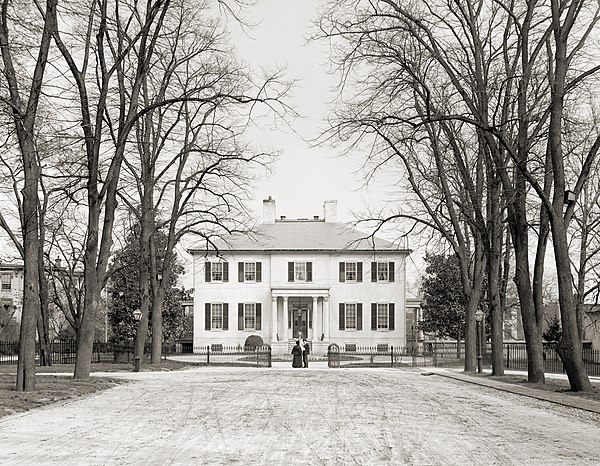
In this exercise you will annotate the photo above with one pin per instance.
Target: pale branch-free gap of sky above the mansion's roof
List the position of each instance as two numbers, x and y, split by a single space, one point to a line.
304 176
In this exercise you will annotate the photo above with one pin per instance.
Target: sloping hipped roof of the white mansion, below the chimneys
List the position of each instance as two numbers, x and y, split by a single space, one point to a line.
304 235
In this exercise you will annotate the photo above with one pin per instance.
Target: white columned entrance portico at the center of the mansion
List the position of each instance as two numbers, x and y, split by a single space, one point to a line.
299 311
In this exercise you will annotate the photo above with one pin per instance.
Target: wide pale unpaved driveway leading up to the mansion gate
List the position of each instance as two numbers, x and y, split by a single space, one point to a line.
278 416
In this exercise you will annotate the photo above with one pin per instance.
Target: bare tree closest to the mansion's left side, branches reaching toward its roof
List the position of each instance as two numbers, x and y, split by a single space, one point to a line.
190 168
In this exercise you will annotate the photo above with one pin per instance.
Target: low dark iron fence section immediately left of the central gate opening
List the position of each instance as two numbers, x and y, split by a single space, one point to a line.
259 356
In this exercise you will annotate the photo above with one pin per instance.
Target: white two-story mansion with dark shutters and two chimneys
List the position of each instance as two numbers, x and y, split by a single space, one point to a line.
316 278
